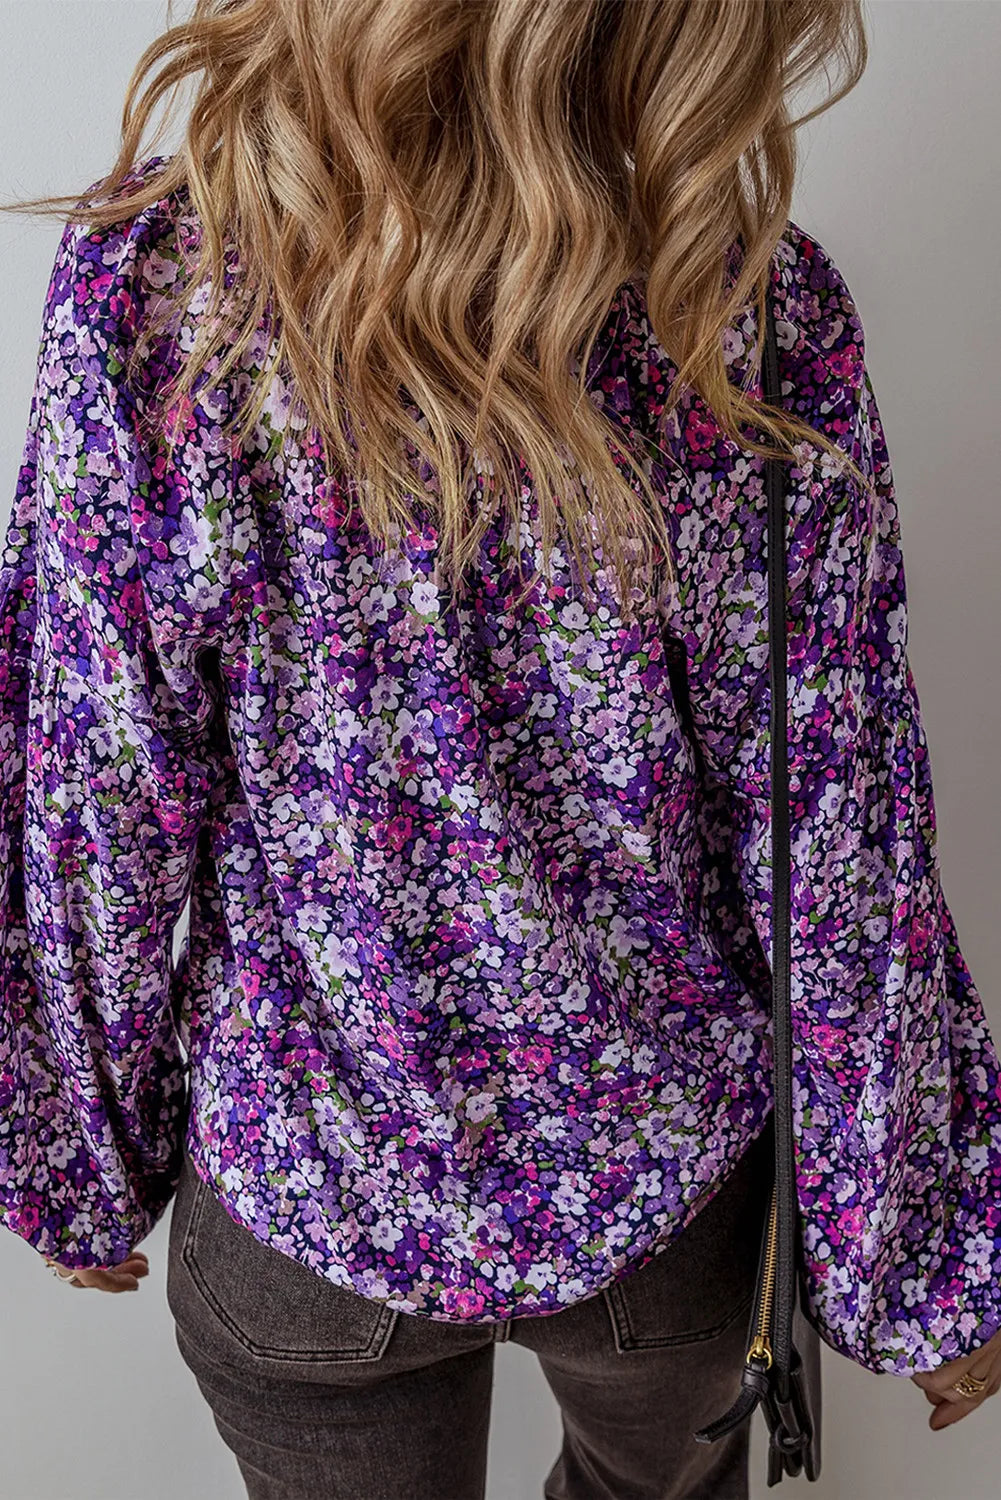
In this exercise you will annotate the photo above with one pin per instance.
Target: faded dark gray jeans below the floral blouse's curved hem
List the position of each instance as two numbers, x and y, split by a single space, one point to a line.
322 1393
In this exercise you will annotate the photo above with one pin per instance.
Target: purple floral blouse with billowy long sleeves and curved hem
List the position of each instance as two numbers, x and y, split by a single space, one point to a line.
472 1015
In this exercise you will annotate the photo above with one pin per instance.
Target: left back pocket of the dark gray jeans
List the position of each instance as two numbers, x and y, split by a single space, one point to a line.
260 1298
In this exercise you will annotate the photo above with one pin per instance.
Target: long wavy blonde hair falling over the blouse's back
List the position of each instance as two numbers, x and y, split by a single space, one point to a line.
446 196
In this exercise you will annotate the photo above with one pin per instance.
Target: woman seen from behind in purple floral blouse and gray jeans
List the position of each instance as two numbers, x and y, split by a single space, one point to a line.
332 604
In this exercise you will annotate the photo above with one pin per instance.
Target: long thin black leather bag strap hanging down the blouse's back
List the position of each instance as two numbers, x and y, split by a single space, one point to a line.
787 1207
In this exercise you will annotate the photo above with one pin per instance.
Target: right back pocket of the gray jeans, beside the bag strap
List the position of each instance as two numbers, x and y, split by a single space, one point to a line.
705 1279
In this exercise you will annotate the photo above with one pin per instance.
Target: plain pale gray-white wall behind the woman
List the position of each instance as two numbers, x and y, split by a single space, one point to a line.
901 185
